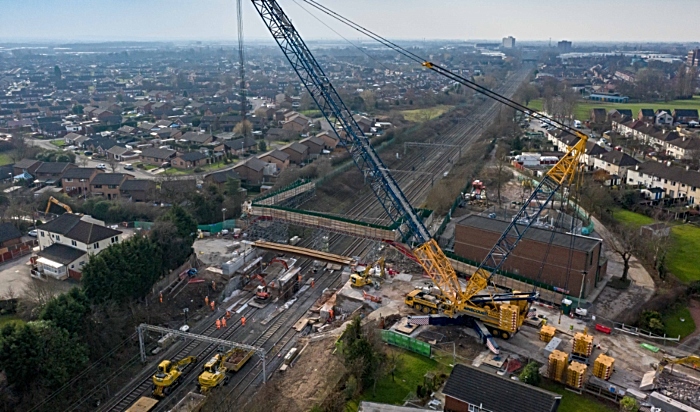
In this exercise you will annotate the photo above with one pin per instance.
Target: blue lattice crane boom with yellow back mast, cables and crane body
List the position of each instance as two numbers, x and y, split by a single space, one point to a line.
453 298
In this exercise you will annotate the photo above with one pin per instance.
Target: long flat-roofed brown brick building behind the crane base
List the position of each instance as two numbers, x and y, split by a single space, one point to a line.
569 260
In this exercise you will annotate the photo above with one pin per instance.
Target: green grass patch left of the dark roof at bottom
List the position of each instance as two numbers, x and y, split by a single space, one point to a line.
409 373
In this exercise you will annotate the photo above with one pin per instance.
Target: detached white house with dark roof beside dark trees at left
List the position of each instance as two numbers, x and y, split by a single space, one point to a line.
68 241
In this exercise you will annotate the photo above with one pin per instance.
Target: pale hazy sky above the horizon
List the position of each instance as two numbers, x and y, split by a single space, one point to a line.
577 20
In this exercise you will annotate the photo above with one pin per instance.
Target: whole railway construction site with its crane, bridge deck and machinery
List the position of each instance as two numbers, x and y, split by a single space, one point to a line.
266 303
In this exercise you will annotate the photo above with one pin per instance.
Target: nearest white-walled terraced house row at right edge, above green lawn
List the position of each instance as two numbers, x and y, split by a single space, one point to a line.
677 183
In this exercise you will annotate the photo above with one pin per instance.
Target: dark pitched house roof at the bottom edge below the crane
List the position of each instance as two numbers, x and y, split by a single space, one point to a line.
495 393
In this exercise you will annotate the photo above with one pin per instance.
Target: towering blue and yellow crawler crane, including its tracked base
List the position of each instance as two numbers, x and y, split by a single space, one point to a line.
503 313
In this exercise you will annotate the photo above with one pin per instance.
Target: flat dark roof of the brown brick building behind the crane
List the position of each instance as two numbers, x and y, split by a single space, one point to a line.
582 243
